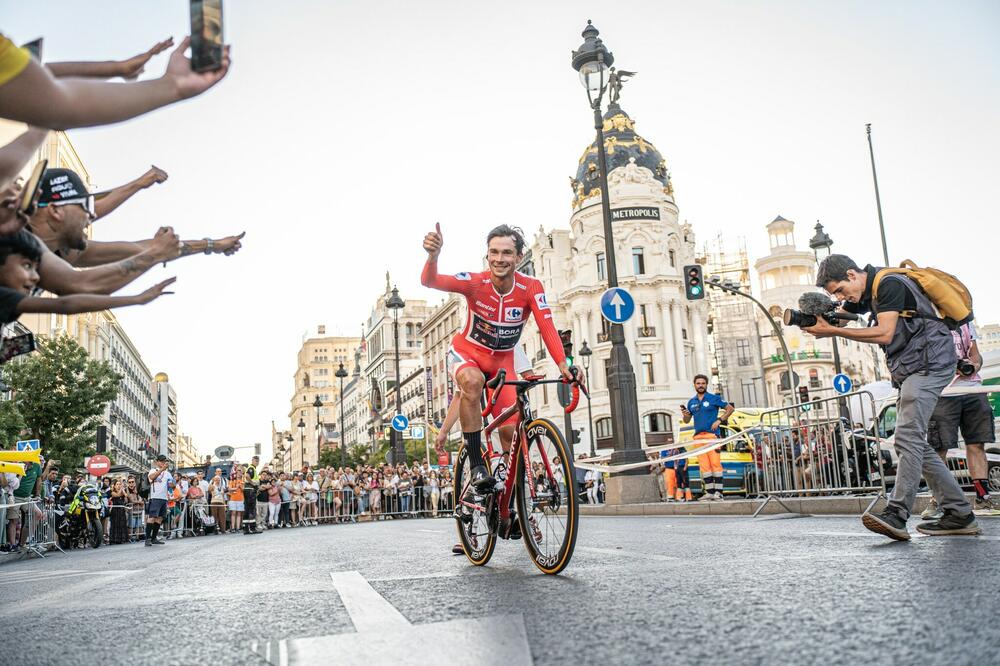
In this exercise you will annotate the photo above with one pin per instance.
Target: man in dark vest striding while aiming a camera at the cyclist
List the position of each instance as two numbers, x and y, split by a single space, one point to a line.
920 353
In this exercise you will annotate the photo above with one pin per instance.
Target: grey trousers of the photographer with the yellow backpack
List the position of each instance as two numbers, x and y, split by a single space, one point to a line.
917 398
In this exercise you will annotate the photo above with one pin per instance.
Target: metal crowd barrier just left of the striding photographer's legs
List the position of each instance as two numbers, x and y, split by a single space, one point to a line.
811 449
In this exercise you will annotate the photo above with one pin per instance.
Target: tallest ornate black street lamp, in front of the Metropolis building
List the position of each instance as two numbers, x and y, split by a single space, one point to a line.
592 60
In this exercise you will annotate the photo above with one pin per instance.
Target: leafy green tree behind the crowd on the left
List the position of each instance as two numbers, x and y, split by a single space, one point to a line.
61 393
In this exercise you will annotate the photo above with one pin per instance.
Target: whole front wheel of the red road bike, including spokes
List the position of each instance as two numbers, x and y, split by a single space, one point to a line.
549 518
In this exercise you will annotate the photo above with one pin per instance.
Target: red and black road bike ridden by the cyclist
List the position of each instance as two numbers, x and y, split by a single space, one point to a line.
538 500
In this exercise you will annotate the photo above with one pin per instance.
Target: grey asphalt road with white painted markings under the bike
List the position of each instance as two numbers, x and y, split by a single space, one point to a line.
709 590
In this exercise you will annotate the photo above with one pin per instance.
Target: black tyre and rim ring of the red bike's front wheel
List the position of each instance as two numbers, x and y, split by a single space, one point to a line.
548 562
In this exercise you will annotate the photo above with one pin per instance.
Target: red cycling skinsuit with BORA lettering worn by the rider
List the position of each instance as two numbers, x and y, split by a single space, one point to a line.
495 321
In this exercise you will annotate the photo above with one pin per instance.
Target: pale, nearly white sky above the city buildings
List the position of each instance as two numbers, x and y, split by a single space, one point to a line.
346 129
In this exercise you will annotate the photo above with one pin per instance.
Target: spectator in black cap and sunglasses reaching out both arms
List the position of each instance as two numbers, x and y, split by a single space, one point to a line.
66 209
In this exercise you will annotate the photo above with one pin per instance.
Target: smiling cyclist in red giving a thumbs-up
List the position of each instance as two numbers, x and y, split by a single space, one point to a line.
499 300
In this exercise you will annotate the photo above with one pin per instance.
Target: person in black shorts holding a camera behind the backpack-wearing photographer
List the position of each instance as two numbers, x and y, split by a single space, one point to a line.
972 413
